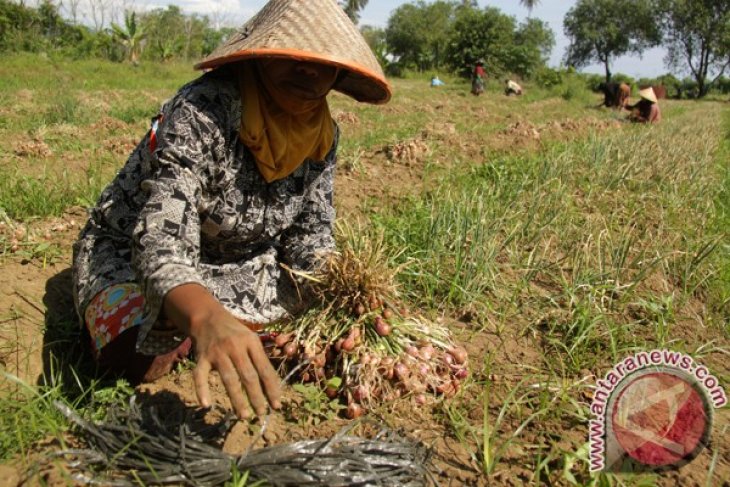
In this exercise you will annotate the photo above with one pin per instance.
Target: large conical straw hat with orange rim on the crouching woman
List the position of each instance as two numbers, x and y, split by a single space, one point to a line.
308 30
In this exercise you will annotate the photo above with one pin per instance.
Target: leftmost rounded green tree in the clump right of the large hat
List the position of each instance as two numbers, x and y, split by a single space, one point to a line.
417 33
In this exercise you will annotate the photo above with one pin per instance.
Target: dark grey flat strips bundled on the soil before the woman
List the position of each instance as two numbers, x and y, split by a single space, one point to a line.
134 446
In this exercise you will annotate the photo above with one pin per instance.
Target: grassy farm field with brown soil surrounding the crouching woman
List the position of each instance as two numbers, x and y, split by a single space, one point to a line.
551 237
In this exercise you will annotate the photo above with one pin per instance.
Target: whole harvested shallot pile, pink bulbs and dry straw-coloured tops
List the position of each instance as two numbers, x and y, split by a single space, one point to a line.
363 335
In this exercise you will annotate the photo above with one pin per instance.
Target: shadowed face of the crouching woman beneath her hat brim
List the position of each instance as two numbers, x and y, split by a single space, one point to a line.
306 80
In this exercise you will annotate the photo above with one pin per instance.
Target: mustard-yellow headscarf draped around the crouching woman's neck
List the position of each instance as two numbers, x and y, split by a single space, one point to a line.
279 129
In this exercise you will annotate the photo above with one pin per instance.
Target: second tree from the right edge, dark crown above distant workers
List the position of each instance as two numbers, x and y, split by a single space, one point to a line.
601 30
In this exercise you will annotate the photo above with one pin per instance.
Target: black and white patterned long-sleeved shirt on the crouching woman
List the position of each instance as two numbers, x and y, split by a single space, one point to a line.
197 210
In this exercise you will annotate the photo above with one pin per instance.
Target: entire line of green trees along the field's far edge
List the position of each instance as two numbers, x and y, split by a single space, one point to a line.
440 35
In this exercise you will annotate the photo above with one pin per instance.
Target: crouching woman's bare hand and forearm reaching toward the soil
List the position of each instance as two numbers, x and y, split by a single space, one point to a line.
224 344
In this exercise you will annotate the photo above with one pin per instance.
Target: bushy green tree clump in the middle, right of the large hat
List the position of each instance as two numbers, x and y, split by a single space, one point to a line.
452 36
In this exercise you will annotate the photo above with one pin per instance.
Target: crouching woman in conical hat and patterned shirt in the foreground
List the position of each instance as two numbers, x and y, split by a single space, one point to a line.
233 179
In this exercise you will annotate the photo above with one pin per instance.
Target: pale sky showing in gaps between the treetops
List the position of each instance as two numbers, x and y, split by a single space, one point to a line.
377 12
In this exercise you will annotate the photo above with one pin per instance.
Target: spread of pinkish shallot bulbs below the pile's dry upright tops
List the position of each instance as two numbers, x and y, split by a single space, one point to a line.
378 352
